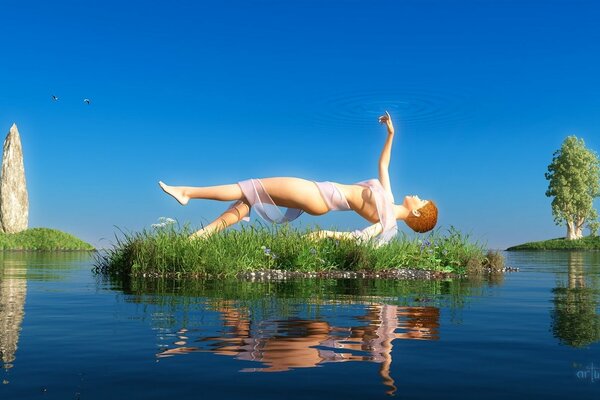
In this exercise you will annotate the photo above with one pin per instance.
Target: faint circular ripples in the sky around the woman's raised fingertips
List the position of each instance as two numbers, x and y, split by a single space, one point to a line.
410 107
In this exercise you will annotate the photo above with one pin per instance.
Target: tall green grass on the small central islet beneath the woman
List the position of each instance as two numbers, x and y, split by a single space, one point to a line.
168 251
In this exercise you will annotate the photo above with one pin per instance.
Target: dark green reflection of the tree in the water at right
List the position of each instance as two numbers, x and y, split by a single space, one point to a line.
574 318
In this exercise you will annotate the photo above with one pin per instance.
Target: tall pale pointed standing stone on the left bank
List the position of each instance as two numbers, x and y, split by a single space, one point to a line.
14 202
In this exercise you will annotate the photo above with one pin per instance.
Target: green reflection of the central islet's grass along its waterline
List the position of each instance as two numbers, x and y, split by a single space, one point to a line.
185 297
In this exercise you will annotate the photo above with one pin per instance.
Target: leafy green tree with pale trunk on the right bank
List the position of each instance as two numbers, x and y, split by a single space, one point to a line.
574 182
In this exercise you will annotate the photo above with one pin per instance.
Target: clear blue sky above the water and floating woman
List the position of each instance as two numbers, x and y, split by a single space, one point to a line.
211 92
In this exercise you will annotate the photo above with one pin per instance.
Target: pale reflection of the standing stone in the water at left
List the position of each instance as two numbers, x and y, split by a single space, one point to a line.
13 288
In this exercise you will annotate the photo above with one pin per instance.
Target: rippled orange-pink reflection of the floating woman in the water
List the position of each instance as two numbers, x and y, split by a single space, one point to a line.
281 345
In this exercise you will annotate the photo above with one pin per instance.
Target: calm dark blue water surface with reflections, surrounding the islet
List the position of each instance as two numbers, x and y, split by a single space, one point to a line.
68 334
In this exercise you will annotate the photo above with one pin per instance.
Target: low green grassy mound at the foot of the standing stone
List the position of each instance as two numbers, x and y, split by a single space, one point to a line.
42 239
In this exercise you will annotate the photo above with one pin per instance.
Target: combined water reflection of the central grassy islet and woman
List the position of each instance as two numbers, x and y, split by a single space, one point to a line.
294 324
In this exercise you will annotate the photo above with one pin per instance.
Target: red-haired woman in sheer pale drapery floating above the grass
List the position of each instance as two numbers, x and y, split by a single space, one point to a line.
372 200
